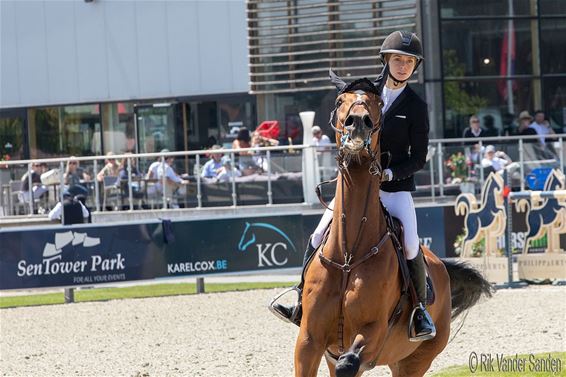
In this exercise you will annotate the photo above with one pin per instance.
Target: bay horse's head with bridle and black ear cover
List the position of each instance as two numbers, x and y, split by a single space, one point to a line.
357 119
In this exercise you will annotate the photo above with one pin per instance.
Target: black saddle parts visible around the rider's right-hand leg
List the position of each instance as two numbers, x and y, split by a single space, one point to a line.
396 228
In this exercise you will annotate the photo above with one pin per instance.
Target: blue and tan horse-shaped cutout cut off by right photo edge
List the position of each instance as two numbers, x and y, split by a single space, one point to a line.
545 215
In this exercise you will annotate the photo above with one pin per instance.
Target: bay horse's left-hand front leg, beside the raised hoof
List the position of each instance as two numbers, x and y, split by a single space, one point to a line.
308 353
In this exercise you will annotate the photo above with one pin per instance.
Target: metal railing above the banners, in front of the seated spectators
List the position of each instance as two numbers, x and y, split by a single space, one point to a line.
277 178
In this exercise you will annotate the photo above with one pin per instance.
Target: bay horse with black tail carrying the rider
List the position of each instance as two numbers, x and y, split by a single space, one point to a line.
353 310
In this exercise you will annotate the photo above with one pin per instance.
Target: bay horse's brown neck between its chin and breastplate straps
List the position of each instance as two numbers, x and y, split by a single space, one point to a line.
353 200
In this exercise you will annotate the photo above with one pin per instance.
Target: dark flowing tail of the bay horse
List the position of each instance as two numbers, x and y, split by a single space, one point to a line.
467 285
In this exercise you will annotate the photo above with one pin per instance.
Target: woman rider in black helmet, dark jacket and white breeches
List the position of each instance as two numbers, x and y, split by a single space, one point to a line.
404 142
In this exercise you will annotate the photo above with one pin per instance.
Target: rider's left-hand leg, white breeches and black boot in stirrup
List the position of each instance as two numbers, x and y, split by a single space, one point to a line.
294 313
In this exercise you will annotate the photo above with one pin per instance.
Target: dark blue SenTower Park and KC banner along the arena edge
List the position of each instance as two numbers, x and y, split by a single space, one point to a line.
92 254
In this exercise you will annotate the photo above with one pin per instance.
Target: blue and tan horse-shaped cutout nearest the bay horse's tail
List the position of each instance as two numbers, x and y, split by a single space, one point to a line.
485 219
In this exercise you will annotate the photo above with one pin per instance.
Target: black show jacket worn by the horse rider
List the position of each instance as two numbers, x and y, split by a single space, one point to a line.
404 135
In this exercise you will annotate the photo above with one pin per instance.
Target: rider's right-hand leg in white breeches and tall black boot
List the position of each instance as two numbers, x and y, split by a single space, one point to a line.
400 205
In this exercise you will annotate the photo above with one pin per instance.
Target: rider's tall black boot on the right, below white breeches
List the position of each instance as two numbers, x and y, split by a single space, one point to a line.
420 319
